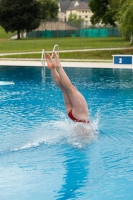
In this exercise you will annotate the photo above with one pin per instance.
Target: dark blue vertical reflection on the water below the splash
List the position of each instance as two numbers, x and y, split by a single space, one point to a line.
77 171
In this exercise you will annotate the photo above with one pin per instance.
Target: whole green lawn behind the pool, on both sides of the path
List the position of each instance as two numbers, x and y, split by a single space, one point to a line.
66 43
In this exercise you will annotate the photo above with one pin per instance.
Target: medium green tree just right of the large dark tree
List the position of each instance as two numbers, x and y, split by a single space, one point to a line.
49 9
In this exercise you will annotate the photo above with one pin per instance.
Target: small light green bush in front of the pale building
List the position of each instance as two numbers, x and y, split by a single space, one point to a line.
75 21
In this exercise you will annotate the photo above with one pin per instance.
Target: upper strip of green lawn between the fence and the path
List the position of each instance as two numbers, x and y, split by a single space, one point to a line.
25 45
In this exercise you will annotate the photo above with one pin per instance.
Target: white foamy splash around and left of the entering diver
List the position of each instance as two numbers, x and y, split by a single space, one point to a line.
78 135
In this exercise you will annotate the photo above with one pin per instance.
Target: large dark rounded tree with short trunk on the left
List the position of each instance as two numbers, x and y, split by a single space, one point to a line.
19 15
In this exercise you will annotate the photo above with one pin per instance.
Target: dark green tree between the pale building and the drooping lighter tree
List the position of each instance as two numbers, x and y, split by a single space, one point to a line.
102 12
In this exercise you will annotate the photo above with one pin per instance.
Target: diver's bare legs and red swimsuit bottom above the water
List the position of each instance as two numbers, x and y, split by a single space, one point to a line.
76 105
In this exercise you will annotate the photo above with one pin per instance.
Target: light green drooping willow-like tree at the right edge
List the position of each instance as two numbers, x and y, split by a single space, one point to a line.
125 19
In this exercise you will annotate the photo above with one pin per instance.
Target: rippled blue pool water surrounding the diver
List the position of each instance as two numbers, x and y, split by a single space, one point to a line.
42 158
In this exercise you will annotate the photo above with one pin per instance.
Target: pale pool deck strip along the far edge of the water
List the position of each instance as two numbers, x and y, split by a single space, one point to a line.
68 63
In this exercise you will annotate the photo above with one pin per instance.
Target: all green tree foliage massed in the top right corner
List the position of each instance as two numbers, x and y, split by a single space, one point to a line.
112 12
